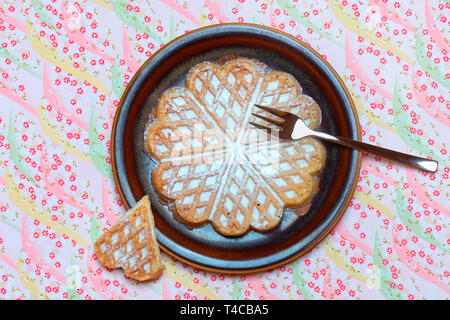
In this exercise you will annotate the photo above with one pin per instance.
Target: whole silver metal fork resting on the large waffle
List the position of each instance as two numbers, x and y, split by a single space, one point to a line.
291 127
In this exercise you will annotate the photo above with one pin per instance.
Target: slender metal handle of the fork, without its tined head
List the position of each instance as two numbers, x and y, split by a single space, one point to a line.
417 162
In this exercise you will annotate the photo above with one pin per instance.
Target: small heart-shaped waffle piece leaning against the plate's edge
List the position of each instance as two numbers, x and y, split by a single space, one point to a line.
131 244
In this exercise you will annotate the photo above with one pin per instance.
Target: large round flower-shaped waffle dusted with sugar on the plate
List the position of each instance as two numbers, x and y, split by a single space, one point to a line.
214 166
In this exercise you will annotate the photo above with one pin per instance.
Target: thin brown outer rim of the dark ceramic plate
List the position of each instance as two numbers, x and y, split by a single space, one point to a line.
348 197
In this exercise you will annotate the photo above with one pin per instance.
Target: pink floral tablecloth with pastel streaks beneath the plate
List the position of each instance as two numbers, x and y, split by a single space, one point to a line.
63 67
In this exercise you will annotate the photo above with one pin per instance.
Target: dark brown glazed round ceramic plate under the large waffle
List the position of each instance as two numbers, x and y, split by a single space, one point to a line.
296 235
